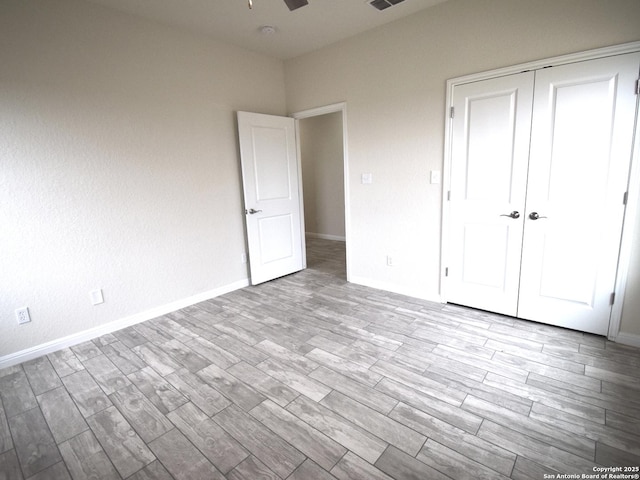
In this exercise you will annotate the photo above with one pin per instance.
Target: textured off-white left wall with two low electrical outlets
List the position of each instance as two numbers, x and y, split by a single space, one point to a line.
119 166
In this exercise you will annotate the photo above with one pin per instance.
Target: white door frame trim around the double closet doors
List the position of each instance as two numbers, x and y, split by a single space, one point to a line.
633 186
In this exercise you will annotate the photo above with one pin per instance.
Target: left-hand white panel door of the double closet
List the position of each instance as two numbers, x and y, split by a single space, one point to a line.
490 149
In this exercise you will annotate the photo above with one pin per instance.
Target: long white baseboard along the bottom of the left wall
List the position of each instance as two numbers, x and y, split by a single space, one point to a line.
86 335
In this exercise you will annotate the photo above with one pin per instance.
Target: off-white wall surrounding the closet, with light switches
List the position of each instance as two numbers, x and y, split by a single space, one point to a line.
393 80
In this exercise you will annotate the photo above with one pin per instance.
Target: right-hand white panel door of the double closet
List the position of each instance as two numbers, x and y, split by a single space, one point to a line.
581 142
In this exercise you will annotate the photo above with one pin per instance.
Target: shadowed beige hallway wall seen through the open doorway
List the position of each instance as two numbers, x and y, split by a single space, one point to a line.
322 159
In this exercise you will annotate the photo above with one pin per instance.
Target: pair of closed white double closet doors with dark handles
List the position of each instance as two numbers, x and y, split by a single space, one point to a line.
539 171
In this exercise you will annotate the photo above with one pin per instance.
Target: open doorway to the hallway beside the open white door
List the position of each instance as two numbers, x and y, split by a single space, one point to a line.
322 149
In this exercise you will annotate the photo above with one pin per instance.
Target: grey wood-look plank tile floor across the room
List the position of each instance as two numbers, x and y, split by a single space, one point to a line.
308 377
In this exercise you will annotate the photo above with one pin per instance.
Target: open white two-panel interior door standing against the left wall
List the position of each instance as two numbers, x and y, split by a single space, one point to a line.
271 181
